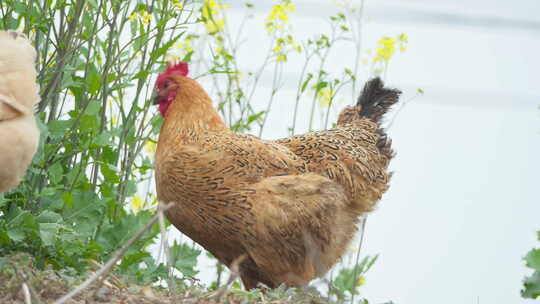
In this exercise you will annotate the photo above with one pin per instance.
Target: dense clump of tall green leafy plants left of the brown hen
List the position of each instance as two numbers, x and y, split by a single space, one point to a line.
95 63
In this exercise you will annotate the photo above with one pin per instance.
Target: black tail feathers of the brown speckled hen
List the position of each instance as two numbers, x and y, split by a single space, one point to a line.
376 100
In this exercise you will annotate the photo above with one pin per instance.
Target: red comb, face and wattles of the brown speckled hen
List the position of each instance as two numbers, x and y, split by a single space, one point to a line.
166 88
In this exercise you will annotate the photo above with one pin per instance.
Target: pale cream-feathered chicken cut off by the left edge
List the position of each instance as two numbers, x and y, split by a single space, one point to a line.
19 134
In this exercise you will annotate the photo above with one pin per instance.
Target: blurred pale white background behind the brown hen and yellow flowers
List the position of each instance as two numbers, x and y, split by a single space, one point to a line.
464 203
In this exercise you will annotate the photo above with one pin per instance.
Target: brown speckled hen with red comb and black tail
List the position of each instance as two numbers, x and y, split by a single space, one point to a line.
290 206
